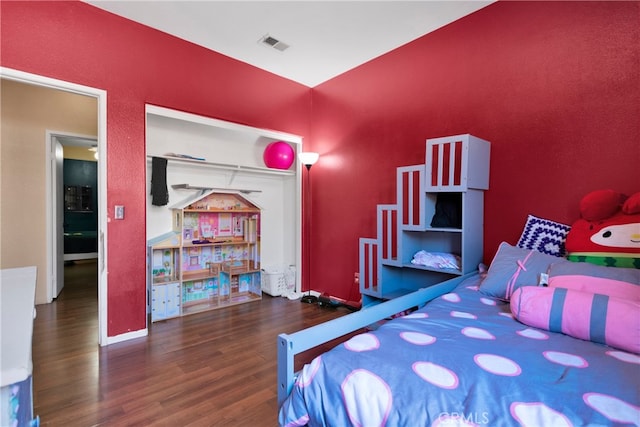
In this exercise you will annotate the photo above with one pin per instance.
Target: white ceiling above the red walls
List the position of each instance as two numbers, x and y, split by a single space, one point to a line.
326 38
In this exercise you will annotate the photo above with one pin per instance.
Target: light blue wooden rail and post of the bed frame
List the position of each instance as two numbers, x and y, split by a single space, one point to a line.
289 345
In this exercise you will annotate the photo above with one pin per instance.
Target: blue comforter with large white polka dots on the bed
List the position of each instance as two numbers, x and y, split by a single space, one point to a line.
463 360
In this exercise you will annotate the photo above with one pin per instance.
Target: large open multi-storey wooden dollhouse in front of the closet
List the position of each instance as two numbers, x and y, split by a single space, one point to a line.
211 258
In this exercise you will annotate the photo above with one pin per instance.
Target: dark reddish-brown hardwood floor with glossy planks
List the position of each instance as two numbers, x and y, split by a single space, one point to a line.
216 368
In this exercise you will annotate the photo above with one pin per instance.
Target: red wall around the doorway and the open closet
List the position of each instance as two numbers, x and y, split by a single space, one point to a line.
75 42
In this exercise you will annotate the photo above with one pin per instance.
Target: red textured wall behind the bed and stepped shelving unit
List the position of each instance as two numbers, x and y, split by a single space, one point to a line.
555 87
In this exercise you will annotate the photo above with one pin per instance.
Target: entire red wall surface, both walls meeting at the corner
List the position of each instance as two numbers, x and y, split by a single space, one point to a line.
553 85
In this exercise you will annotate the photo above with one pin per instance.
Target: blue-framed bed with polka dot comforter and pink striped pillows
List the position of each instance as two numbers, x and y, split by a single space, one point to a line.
477 351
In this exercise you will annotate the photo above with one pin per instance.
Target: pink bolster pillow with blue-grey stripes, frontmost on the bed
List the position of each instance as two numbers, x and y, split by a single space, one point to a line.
588 316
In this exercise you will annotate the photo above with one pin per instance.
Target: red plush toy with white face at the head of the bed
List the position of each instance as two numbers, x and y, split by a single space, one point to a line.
608 232
